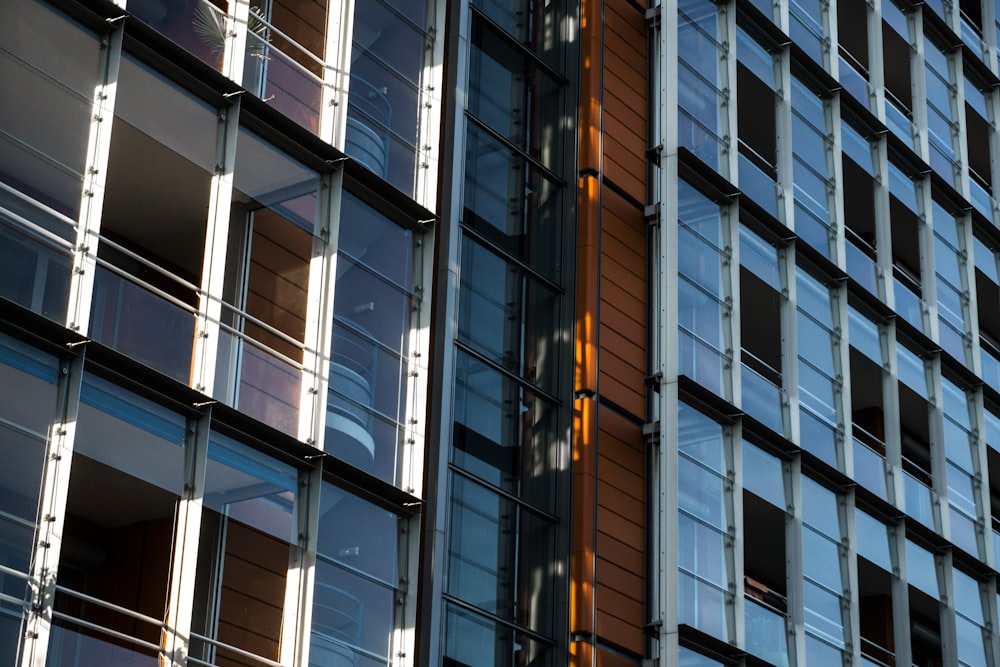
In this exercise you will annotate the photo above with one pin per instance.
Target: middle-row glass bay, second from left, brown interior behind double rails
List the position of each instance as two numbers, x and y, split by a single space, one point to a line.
152 241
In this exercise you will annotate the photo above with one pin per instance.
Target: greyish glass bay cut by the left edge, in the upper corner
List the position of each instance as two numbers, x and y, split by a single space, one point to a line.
43 150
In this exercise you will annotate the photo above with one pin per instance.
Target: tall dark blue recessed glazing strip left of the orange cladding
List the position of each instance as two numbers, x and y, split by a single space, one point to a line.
506 447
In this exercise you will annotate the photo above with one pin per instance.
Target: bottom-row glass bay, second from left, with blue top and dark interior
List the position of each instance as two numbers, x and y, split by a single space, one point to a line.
126 478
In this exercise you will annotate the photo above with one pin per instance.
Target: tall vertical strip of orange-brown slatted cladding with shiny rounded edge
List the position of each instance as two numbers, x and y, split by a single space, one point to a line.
609 565
